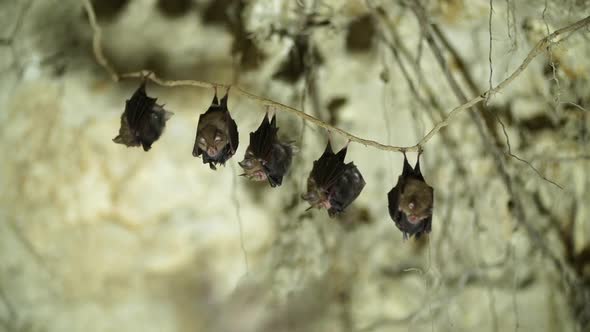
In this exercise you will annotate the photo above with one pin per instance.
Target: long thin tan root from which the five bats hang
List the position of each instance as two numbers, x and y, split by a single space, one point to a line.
542 46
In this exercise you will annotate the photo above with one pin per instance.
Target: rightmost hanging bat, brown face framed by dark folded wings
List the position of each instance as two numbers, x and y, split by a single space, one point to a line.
411 202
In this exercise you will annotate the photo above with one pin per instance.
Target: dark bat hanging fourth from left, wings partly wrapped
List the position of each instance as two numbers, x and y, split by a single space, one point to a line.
332 184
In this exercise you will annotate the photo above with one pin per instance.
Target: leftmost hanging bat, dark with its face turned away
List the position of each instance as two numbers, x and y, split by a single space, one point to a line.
143 121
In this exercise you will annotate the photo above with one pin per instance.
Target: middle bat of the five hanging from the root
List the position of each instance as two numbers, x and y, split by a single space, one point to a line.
266 157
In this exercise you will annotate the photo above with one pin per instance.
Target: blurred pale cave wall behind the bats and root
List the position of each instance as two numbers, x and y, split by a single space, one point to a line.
95 236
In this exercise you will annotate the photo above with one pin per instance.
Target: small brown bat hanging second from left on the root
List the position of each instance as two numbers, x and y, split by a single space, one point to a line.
217 134
